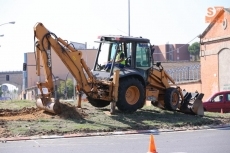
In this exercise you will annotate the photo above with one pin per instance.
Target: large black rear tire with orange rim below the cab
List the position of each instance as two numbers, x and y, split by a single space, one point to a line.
131 95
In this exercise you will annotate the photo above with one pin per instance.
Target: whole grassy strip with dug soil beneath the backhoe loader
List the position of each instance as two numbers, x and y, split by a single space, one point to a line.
30 121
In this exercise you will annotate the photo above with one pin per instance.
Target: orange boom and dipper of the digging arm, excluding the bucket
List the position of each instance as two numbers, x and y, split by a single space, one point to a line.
71 57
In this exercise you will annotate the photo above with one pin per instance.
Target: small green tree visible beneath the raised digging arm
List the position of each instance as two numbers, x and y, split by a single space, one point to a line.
66 89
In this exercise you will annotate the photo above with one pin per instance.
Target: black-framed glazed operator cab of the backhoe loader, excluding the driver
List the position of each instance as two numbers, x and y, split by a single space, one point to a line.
137 47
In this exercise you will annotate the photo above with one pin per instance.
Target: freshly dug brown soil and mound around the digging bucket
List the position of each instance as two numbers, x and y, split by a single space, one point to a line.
32 113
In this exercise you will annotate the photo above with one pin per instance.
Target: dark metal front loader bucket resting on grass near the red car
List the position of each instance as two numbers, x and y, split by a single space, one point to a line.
192 103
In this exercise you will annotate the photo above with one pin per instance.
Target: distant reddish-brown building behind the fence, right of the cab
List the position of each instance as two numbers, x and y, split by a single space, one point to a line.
171 52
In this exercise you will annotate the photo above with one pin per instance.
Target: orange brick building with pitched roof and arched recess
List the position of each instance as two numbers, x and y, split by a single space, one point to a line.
215 54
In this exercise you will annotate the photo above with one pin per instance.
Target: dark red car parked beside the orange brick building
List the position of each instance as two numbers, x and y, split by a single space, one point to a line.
218 101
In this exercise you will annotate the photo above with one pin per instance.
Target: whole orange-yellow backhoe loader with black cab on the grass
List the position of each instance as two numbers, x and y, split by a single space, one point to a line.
126 88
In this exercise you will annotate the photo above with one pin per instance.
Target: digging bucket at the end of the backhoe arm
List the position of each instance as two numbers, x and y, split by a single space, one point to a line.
49 105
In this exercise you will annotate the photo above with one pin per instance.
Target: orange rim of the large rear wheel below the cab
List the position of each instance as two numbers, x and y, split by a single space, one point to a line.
132 95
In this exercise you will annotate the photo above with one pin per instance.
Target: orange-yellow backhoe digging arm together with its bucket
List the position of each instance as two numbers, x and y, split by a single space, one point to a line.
71 58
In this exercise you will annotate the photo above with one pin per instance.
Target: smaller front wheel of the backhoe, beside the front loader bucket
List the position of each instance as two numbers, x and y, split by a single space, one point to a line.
171 99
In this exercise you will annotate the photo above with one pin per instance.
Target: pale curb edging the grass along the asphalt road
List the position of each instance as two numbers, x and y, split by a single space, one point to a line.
154 131
